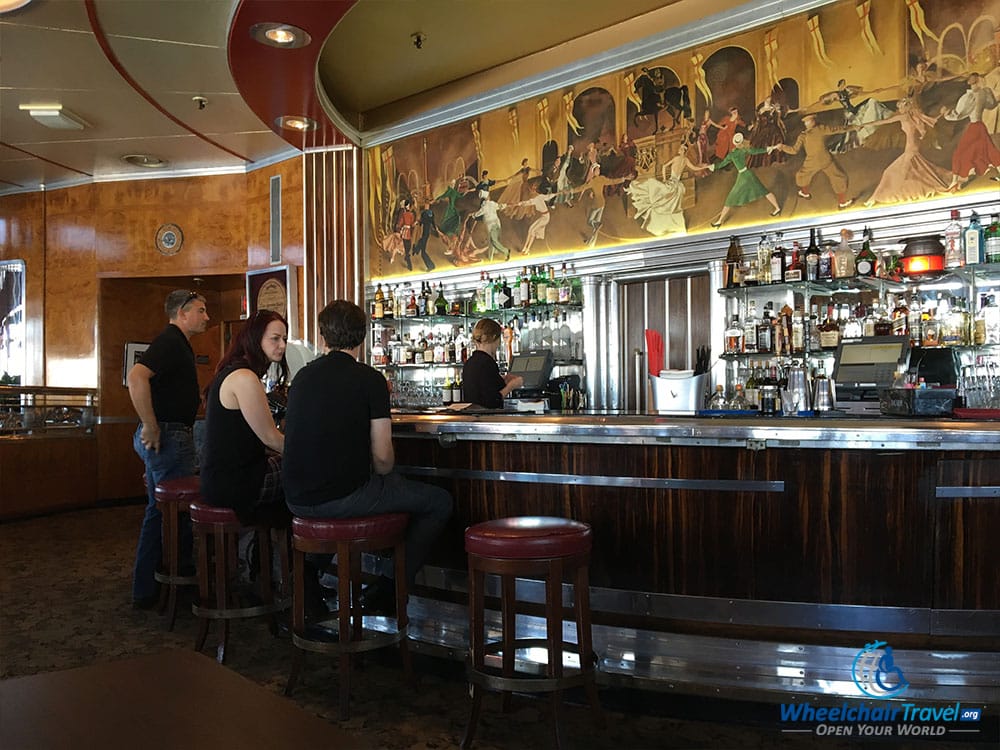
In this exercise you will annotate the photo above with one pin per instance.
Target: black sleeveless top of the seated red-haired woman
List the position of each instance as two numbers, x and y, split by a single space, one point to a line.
233 460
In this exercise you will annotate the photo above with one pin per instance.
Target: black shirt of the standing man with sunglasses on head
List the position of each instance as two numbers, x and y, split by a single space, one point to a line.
174 384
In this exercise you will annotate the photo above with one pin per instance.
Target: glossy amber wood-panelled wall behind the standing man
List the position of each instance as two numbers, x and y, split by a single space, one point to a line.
95 278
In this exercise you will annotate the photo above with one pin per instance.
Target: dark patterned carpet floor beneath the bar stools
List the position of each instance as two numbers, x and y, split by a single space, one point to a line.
65 602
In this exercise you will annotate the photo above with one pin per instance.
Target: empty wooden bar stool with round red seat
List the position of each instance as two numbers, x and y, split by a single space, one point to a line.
529 547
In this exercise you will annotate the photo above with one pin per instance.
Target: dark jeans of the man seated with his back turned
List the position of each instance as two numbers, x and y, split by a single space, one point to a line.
428 506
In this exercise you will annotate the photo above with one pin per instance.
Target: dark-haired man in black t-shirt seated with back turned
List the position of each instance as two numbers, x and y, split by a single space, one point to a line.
338 460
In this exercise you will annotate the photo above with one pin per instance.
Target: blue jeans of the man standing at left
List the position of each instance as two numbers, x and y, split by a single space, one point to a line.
176 458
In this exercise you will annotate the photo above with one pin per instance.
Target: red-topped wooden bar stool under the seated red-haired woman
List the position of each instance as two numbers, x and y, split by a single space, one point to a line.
217 532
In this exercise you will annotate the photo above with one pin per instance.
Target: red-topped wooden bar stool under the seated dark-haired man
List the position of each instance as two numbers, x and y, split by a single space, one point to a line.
348 538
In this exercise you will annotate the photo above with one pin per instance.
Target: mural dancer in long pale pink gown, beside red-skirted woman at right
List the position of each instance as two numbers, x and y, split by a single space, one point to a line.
910 177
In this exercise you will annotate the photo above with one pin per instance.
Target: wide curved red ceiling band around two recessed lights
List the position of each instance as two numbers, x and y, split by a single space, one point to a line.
277 82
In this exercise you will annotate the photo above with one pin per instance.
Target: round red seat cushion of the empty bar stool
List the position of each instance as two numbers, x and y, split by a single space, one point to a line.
527 537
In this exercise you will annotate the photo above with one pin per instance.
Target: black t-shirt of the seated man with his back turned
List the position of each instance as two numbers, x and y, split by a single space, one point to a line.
331 403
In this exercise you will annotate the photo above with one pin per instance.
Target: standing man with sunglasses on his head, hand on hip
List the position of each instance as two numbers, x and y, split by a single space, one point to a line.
163 386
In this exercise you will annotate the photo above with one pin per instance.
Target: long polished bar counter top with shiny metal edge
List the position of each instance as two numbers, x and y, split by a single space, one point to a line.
836 431
